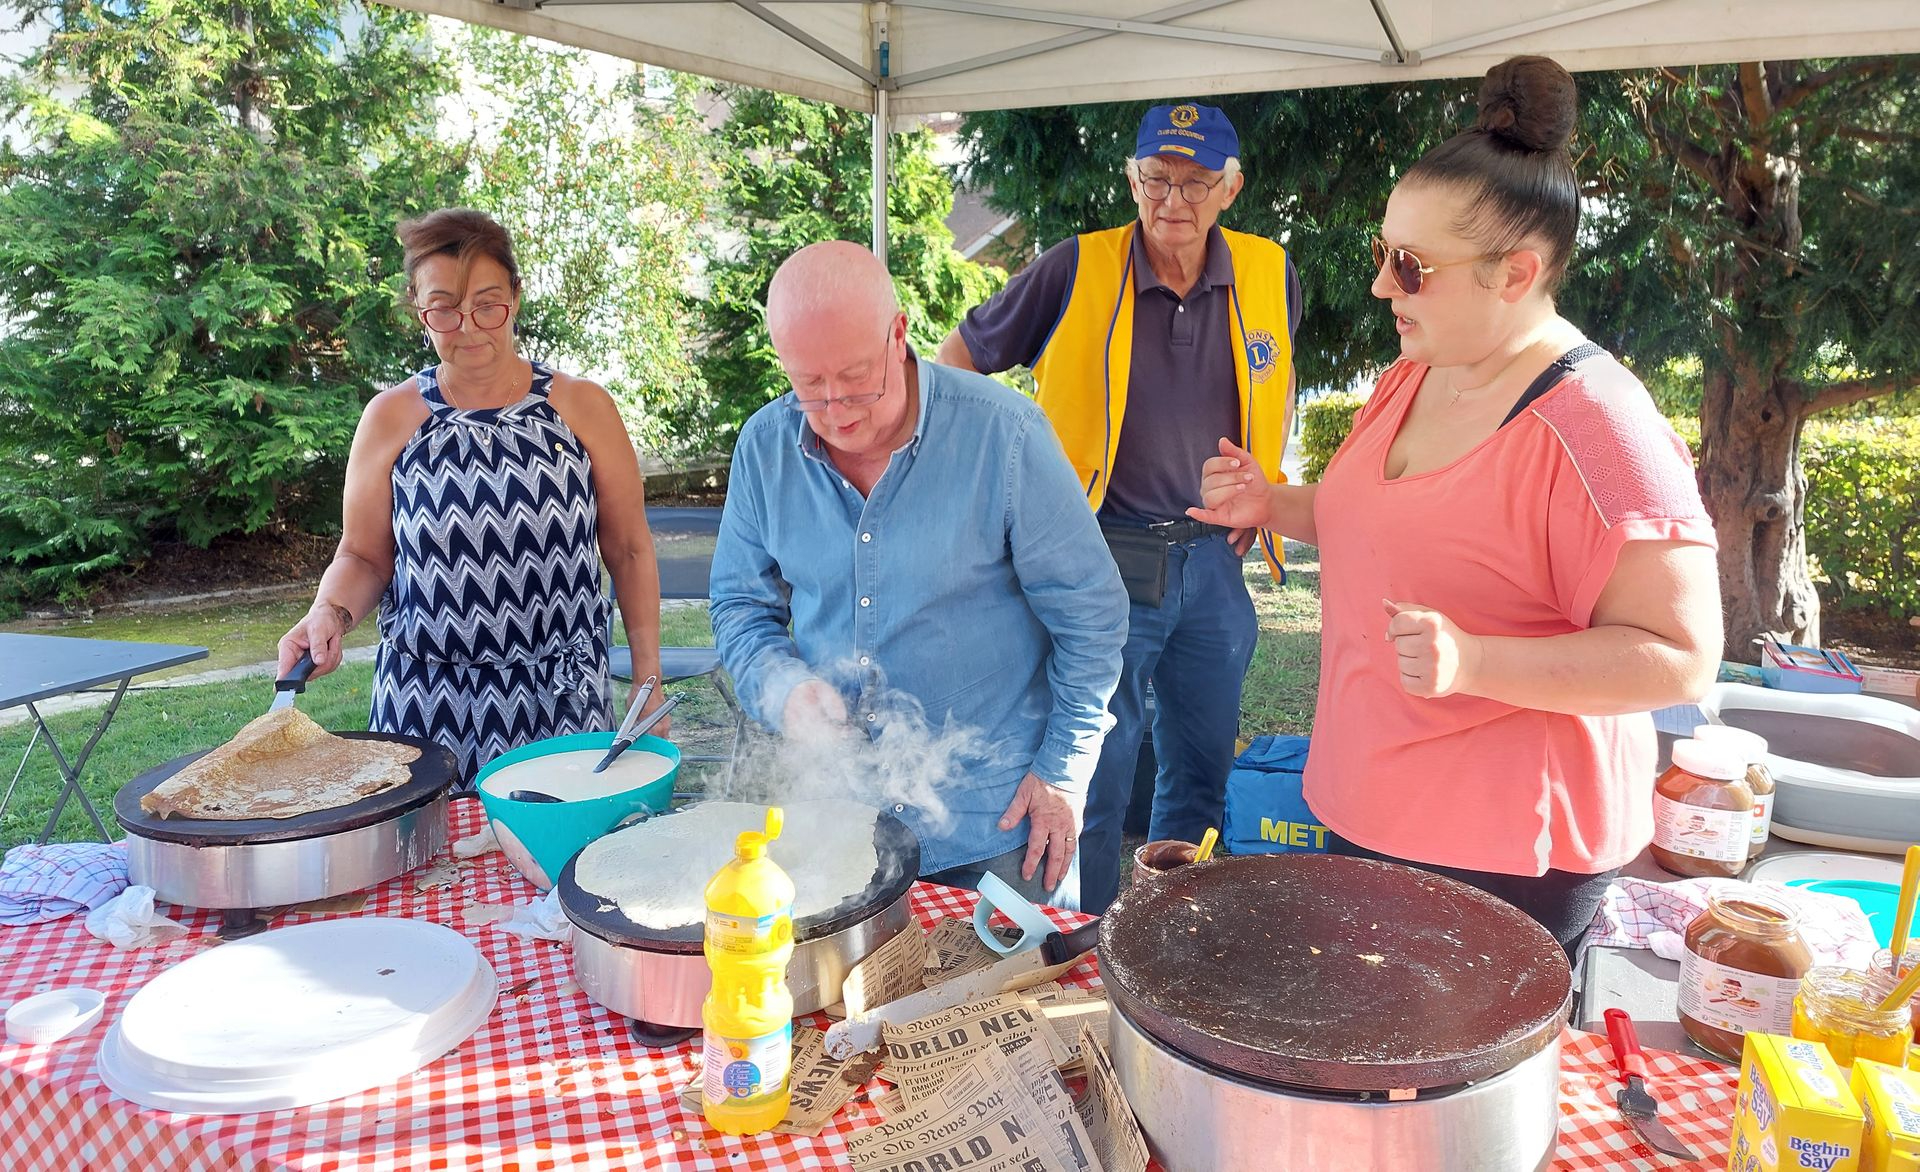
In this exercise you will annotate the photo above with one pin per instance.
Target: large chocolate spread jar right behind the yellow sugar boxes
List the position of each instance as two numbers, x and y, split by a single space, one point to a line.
1742 967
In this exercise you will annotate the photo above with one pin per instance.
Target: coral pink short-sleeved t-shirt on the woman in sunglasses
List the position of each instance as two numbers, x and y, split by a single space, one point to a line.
1514 539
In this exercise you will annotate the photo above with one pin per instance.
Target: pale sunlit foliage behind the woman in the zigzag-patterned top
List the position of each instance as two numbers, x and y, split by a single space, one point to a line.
604 191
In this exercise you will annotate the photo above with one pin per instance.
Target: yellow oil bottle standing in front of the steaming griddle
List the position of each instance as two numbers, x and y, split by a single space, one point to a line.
750 1012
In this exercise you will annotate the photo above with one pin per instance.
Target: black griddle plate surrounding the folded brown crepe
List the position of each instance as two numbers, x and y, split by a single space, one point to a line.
429 775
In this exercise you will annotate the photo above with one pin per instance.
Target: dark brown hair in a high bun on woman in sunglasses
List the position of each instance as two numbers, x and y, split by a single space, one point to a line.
1514 164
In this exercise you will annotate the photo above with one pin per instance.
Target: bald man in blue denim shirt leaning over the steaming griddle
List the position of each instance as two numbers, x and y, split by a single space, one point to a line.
913 529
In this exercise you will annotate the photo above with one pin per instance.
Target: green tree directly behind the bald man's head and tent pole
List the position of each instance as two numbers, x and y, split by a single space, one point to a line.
796 172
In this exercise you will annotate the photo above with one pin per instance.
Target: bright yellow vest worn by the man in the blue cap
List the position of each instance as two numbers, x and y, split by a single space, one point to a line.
1084 364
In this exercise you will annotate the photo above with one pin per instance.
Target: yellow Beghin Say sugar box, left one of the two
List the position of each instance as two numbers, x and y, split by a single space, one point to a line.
1794 1111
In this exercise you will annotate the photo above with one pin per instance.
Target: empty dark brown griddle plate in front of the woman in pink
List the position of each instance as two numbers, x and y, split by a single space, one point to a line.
1333 973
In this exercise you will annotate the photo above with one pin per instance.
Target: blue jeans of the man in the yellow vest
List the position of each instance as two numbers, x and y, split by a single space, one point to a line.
1195 647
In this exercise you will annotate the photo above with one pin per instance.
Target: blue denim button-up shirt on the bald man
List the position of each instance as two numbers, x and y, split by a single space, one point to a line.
974 581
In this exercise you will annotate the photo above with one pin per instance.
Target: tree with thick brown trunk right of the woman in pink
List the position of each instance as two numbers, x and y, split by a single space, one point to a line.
1777 214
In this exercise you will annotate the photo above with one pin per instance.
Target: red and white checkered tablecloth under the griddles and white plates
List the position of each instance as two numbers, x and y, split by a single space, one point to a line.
552 1081
